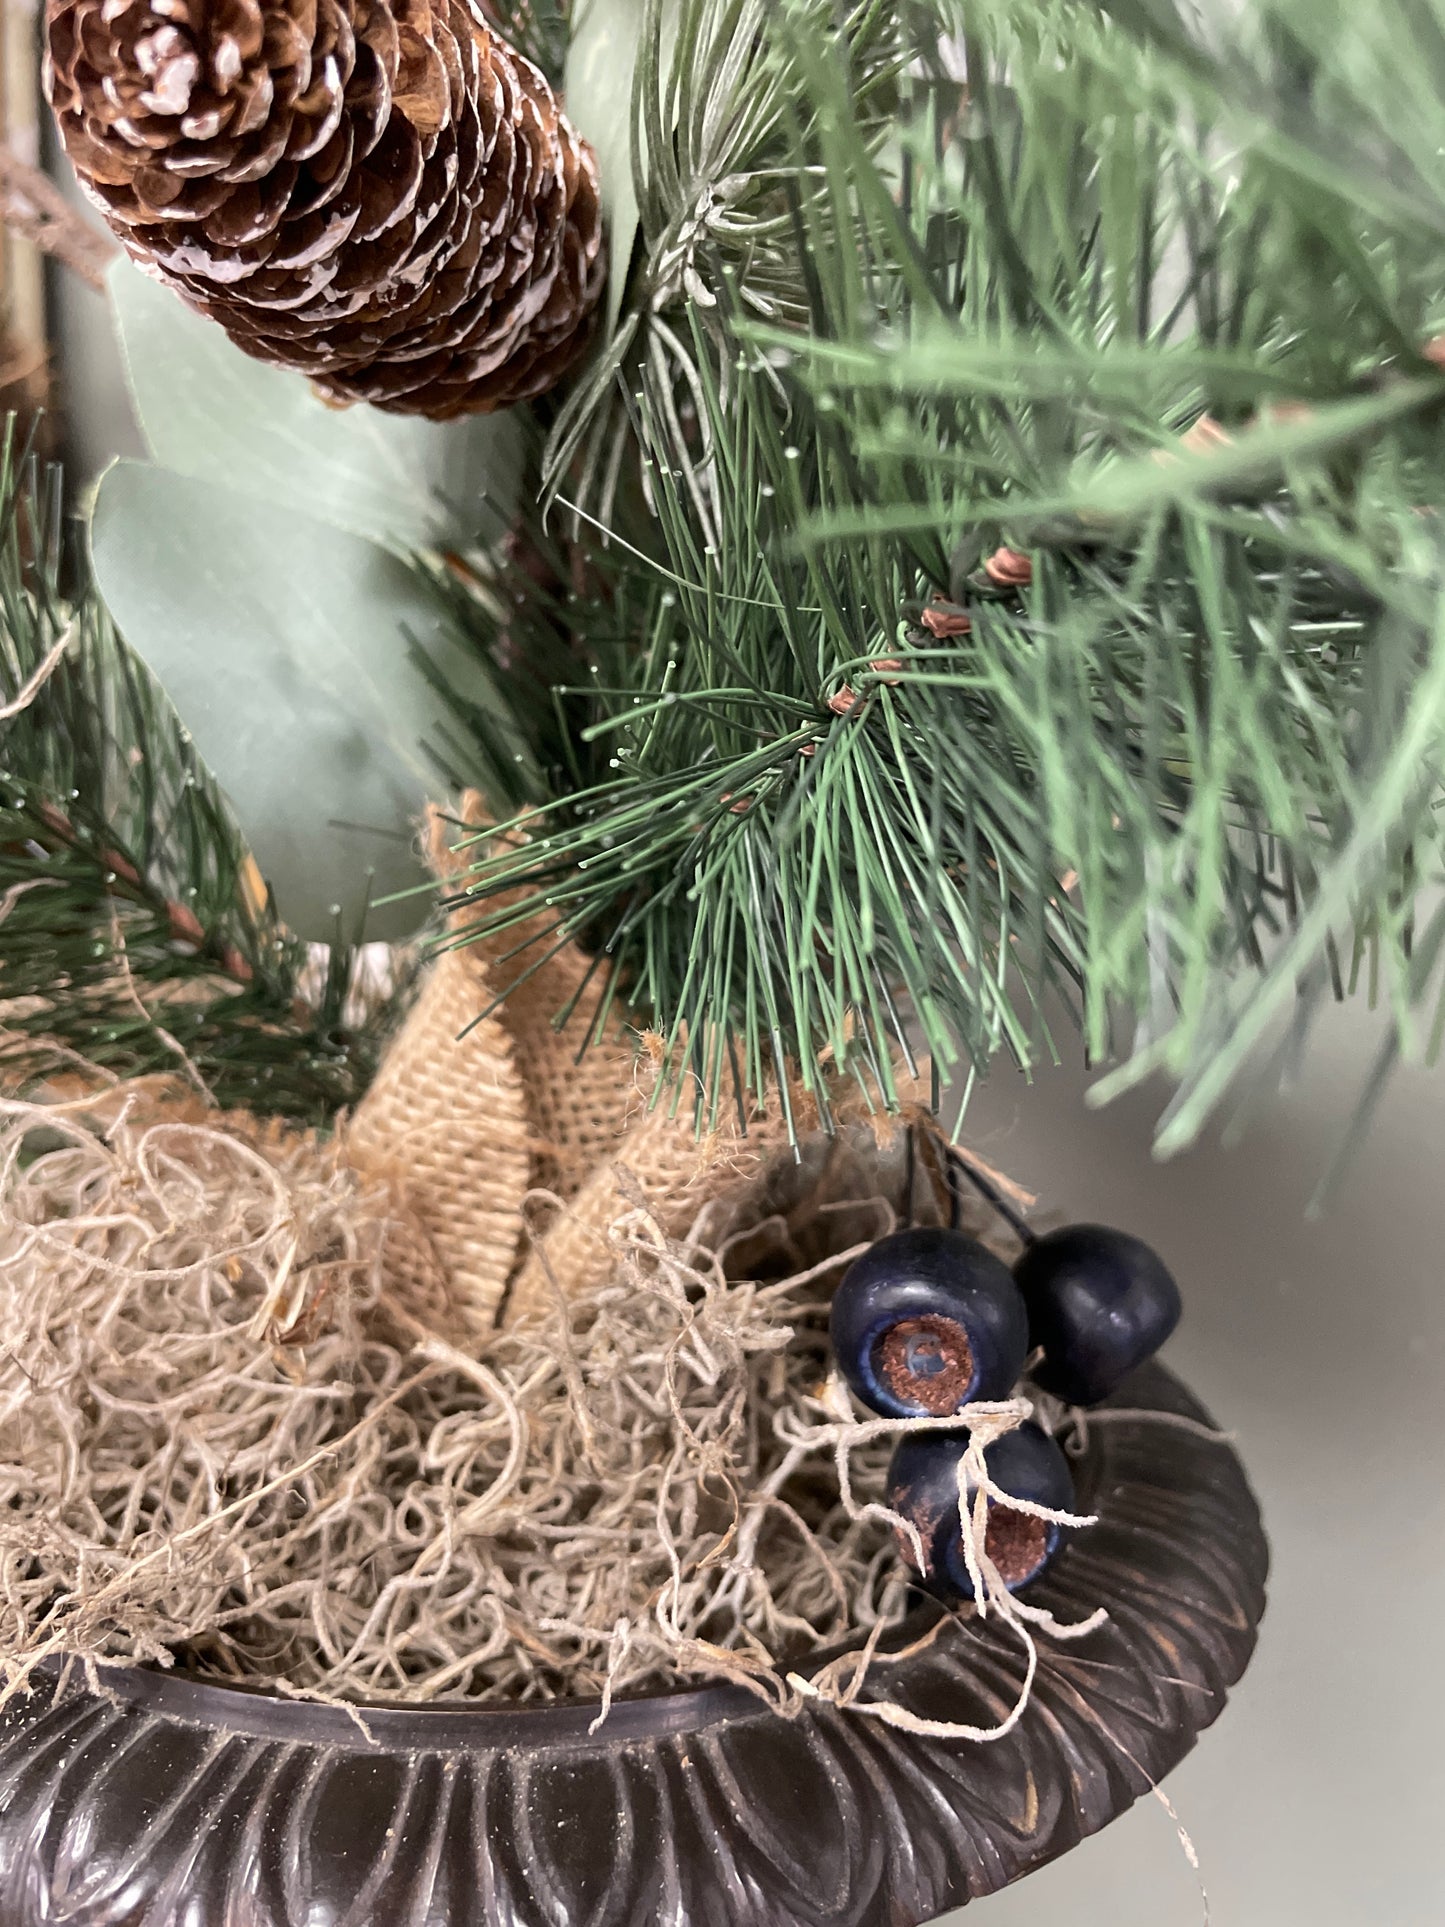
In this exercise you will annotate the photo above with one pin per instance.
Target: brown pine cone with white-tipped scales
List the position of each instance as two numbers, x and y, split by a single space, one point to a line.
381 194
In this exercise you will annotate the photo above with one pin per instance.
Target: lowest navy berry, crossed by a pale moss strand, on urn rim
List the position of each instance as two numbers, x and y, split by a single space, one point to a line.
924 1489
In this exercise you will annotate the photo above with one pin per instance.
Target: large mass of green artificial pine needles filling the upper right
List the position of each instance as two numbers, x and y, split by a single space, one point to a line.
1182 762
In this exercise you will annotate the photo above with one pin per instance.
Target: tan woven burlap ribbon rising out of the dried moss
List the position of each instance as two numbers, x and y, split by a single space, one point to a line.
465 1122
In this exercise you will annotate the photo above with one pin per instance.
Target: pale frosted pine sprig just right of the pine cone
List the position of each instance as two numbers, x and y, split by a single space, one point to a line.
720 198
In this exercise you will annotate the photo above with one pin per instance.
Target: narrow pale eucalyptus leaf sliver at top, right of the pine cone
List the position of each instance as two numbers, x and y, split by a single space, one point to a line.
602 63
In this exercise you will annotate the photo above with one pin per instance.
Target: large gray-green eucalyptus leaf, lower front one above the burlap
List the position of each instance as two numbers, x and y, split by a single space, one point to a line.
305 662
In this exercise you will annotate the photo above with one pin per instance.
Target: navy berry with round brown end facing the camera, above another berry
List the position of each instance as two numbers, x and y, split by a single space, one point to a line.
928 1321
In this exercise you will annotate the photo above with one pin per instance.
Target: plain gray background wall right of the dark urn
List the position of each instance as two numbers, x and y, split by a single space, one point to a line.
1317 1801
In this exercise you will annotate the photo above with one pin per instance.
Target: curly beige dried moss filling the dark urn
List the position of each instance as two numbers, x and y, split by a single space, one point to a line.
226 1437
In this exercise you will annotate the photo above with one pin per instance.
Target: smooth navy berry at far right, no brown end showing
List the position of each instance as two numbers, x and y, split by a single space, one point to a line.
1099 1304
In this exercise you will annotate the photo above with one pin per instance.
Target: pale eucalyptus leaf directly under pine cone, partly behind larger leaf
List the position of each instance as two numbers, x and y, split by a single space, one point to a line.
215 413
